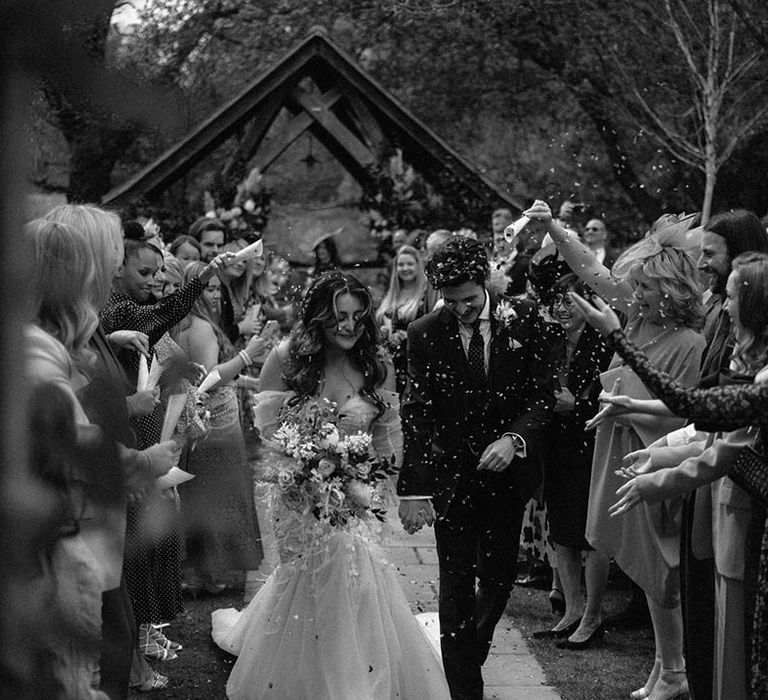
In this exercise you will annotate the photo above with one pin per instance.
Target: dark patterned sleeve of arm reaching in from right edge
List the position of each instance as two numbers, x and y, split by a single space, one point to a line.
723 408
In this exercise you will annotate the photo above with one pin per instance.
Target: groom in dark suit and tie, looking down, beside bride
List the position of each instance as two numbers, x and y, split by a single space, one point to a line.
479 395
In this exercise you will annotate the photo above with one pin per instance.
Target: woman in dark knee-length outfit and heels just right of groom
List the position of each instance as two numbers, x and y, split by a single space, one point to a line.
580 357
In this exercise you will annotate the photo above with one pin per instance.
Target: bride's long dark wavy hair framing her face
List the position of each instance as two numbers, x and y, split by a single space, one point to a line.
306 356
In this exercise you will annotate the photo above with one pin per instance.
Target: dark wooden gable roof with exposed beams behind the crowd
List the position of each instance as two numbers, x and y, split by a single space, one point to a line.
327 93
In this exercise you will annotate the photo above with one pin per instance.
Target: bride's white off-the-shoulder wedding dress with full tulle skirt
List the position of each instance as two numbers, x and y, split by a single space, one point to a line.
331 622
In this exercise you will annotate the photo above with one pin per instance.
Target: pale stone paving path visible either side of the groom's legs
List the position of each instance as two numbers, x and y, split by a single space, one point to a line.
511 672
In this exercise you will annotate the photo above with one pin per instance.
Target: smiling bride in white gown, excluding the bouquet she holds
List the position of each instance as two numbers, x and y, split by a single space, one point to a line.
332 621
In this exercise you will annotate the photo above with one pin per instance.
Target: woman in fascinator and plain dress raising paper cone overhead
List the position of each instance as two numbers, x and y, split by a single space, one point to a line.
662 301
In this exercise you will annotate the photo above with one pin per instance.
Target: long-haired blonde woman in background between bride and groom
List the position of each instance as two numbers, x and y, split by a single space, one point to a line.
404 302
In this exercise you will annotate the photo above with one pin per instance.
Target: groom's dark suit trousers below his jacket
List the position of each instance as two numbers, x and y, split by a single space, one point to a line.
477 547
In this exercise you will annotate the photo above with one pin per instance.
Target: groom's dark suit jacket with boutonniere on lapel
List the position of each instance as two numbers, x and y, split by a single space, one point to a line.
443 415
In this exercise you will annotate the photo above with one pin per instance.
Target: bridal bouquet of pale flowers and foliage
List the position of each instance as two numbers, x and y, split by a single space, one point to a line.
330 475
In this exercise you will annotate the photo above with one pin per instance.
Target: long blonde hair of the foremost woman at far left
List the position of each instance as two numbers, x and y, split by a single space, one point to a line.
63 277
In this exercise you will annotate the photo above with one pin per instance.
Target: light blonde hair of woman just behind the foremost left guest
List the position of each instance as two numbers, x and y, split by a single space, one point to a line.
104 233
